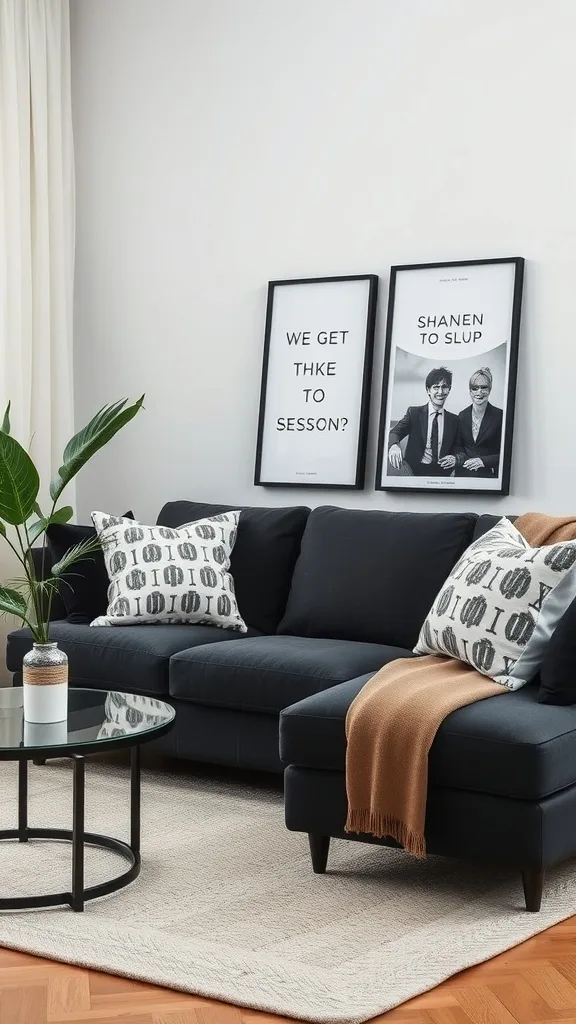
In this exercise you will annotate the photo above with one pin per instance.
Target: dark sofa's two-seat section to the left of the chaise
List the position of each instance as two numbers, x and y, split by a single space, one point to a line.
229 690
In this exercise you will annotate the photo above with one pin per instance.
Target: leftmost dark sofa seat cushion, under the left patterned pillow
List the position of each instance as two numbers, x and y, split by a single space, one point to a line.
135 659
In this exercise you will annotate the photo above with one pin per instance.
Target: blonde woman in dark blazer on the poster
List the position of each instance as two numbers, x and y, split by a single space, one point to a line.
480 431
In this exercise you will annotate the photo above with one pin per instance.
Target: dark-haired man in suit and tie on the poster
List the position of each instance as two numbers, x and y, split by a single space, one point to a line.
432 433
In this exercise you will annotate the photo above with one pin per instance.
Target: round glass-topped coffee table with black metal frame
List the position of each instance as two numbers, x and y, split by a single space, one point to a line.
98 721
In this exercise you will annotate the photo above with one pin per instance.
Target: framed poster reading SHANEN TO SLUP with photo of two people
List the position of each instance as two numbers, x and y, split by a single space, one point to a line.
449 381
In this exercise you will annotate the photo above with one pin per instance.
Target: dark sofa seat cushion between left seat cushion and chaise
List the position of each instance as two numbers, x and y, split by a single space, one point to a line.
267 674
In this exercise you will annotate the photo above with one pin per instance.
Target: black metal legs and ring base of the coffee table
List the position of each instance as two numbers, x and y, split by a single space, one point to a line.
79 894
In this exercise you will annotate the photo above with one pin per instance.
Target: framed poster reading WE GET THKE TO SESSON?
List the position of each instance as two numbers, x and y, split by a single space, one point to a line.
316 381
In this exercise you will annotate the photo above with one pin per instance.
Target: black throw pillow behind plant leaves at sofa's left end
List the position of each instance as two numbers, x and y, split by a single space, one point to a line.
85 592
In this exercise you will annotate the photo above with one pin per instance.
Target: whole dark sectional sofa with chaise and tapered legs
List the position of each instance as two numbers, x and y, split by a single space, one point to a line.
330 598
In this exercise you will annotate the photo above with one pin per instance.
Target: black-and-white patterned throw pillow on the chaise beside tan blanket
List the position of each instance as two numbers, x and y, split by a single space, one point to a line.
501 605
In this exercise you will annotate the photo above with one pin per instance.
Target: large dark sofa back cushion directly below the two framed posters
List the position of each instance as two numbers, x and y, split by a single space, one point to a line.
373 576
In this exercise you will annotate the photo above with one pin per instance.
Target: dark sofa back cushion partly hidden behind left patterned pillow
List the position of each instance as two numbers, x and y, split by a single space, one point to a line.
264 557
